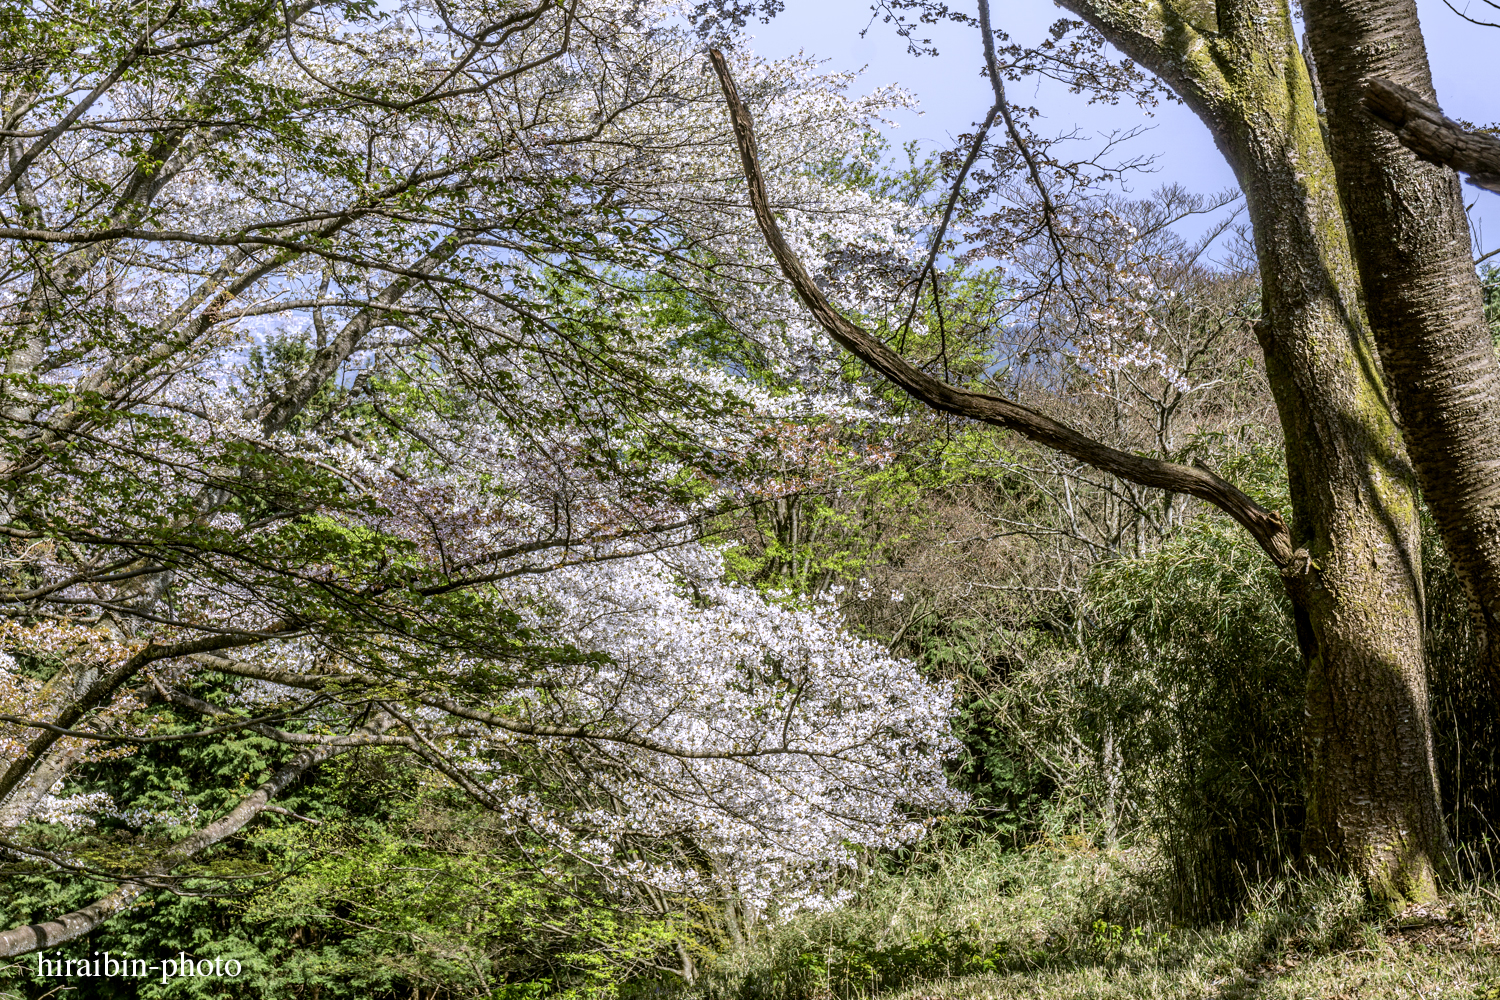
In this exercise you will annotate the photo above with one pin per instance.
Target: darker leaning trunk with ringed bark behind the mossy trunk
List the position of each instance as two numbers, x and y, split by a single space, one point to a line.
1411 239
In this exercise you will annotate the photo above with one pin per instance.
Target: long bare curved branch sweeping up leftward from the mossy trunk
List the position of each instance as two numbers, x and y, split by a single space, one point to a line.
1267 527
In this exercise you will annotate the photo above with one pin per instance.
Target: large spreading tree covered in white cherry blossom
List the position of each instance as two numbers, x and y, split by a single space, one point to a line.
376 364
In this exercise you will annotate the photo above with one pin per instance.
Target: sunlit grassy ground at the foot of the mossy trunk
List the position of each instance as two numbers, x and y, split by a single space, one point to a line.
1066 921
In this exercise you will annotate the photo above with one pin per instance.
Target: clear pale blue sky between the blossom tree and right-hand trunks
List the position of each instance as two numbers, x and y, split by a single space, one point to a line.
953 97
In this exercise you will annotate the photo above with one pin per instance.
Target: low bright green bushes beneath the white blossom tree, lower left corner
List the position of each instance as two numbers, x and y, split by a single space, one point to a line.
401 887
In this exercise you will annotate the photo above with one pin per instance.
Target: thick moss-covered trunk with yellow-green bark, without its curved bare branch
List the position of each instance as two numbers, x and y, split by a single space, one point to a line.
1373 785
